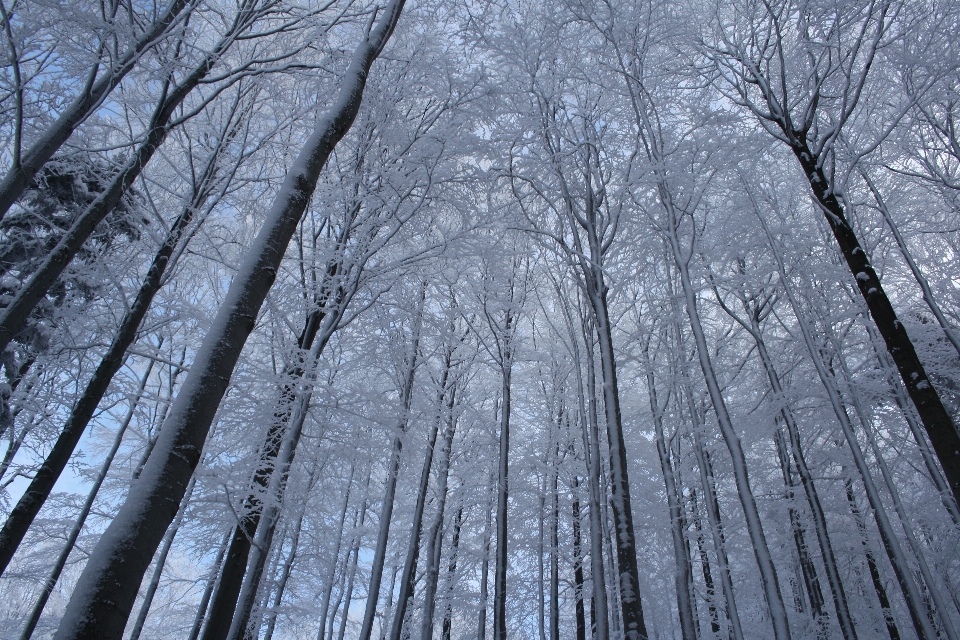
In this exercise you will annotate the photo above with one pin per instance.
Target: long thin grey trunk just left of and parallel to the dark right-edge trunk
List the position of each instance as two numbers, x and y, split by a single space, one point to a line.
891 544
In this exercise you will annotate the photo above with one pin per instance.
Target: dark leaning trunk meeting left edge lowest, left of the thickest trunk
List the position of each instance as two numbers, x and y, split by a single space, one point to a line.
23 514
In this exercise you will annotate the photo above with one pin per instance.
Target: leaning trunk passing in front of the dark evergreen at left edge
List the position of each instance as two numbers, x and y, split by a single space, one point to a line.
15 315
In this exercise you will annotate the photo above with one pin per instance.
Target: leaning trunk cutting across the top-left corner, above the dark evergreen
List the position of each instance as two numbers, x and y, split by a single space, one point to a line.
84 105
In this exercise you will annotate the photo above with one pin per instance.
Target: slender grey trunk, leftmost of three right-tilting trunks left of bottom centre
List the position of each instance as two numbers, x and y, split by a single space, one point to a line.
386 511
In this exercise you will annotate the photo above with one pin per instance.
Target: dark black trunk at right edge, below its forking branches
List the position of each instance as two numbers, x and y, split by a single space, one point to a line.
940 428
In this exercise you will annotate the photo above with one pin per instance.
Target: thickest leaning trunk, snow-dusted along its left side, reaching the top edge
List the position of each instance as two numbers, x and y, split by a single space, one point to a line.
106 590
